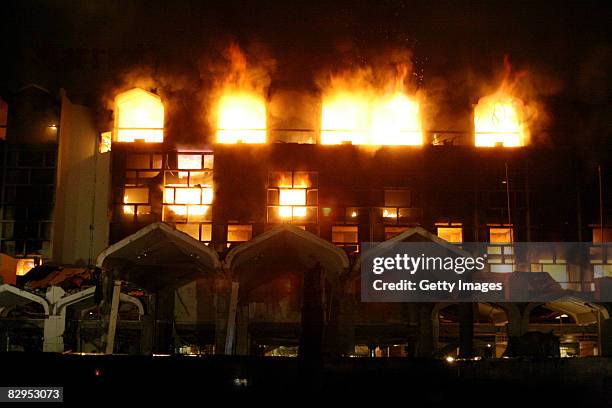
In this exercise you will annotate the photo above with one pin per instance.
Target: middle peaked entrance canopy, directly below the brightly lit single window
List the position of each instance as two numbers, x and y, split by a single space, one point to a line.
287 245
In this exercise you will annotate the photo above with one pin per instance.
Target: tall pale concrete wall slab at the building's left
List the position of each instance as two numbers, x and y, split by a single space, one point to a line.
80 230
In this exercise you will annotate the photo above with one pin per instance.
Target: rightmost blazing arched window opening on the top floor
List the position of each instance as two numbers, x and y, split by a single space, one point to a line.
498 120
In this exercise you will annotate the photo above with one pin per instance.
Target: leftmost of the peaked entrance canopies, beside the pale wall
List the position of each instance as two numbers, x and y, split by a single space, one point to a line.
158 256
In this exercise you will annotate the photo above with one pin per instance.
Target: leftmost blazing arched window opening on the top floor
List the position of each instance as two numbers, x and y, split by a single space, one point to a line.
139 115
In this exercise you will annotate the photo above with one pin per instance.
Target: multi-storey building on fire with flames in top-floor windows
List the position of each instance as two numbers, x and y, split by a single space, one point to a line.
223 246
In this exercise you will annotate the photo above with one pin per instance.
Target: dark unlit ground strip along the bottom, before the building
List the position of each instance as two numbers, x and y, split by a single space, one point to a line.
207 381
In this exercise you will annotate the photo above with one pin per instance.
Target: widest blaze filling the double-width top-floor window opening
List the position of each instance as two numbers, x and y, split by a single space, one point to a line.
360 114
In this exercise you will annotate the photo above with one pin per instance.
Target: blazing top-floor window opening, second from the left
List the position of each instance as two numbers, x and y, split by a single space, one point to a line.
241 118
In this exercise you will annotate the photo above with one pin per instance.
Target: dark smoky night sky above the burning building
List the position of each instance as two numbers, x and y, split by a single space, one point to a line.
86 46
